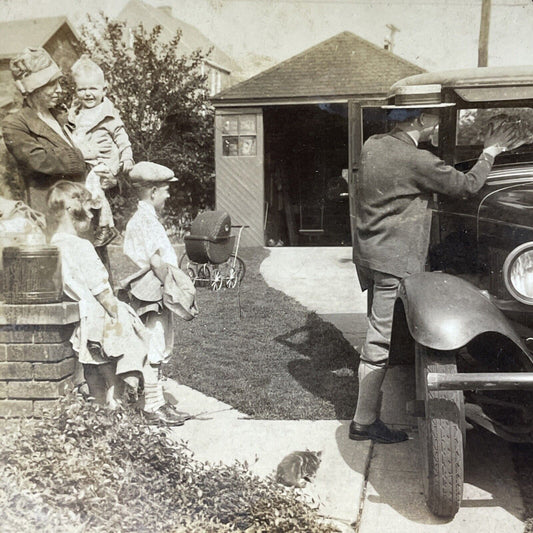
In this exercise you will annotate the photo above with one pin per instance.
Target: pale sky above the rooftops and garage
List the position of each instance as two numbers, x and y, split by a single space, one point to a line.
434 34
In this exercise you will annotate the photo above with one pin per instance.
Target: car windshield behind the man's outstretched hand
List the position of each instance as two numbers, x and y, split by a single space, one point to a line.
473 123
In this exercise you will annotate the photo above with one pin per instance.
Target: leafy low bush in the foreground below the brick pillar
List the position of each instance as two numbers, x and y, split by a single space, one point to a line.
89 469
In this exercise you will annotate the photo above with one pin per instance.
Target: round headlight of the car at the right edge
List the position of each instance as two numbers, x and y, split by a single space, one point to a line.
518 273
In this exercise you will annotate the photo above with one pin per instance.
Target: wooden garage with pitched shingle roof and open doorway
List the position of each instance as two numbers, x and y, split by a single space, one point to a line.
286 139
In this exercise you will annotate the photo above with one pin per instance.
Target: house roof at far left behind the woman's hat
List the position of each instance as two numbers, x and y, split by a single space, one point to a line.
16 35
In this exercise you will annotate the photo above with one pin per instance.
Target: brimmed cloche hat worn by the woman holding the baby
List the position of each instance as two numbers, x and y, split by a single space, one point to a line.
32 69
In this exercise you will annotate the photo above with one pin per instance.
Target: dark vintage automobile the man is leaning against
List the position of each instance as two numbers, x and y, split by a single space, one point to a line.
467 322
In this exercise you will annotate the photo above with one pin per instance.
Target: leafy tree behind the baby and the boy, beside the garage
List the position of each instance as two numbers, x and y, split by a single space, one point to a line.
163 100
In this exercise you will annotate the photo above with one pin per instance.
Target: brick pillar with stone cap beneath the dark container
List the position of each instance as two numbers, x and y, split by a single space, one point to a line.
36 358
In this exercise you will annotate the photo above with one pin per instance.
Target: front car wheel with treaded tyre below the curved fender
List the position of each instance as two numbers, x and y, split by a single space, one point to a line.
440 434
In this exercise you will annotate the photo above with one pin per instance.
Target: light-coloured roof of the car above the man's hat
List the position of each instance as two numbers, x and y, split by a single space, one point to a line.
479 84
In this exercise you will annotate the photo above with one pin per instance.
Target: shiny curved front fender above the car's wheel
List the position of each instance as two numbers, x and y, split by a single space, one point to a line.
445 312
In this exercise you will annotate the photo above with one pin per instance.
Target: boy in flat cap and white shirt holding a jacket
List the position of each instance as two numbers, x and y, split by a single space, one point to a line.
147 244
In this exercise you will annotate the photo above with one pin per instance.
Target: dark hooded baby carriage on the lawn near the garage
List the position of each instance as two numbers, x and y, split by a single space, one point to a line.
210 257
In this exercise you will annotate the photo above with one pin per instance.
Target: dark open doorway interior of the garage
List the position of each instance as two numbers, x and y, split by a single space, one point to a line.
306 162
